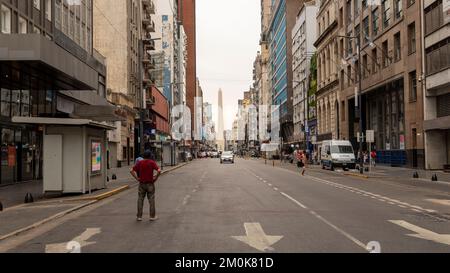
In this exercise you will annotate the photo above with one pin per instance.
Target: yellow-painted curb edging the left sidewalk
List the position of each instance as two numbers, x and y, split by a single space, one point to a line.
92 200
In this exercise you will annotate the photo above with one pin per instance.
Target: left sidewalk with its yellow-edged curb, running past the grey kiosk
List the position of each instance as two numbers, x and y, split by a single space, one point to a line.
18 218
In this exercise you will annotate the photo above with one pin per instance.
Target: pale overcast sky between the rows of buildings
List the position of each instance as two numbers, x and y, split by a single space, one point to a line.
228 35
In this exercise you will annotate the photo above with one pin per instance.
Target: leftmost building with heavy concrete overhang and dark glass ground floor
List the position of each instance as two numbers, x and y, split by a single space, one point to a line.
48 69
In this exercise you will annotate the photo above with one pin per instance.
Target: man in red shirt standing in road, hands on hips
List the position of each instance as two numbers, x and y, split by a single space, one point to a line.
146 168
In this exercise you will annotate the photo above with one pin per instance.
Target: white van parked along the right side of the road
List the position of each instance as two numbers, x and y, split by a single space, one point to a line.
337 153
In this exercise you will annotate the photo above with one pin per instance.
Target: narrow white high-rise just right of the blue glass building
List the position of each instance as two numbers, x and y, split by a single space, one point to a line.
303 38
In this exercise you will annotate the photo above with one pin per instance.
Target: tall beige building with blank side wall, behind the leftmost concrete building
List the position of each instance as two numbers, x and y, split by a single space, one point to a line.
119 29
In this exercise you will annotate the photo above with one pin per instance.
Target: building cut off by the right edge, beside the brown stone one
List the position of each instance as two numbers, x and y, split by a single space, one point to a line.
436 97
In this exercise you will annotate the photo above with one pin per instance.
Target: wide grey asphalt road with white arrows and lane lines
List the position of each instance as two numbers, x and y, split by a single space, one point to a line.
251 207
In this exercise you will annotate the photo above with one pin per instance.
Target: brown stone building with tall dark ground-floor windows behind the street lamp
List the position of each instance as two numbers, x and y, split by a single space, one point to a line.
392 101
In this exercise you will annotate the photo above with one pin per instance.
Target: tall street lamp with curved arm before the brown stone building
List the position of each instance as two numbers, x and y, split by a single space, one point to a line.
358 100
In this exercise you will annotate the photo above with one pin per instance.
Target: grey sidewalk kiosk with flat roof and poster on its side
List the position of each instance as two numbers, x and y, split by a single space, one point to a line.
75 154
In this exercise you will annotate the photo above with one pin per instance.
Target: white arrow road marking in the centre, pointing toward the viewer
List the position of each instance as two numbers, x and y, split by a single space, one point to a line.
257 238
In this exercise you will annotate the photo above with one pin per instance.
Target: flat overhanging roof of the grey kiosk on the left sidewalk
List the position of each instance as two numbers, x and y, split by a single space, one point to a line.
62 121
